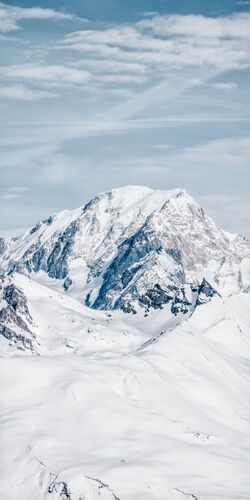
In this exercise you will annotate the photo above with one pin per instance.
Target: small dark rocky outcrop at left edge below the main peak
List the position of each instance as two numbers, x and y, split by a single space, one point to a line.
15 319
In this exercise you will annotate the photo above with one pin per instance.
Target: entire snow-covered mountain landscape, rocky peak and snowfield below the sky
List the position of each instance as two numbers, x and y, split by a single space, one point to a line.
98 403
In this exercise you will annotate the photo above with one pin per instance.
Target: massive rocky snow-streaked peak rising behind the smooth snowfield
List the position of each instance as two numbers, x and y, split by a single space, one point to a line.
134 248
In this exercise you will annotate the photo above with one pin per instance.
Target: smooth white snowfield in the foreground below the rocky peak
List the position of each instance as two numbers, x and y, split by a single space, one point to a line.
117 406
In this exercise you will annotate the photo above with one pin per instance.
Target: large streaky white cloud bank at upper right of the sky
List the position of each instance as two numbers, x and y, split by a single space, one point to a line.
171 41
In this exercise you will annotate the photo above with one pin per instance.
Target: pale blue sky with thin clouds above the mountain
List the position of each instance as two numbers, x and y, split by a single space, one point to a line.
101 93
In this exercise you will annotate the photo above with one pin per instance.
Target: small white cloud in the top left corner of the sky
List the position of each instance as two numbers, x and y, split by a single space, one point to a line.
11 17
